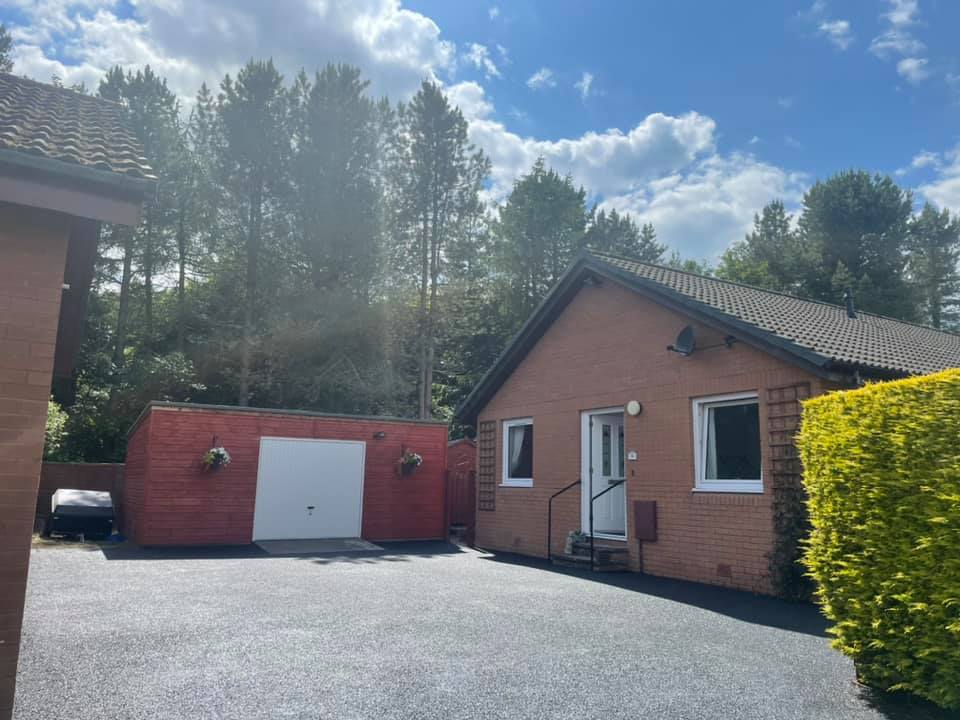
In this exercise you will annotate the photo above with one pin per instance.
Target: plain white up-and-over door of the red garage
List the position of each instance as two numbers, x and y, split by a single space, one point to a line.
308 489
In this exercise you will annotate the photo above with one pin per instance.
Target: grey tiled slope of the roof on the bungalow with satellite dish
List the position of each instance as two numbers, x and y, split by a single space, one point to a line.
867 341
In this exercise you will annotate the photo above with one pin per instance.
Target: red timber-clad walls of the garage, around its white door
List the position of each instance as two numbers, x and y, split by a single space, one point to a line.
171 500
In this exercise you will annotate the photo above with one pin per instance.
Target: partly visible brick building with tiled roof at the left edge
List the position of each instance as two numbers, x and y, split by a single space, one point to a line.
67 163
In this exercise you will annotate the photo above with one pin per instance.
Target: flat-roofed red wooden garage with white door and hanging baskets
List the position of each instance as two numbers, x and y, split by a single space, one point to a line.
220 475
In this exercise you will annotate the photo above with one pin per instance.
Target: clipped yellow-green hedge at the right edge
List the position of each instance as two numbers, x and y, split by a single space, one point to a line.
882 471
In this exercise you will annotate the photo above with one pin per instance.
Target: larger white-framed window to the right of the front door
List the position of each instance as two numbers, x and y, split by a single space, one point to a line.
726 433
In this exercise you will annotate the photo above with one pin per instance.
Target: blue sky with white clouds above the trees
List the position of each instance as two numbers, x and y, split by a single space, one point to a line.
687 114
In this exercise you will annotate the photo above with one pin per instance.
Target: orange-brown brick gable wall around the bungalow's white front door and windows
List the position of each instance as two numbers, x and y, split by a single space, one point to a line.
606 348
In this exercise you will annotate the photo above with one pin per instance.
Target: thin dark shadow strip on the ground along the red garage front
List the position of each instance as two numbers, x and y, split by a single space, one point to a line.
389 552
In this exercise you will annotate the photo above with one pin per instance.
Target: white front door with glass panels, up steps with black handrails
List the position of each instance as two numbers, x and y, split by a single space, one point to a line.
602 467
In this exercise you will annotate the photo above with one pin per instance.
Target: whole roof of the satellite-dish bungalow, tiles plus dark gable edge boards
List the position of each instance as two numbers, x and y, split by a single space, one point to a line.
818 336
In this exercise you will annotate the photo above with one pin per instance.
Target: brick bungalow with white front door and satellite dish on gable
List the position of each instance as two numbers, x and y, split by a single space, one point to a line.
701 434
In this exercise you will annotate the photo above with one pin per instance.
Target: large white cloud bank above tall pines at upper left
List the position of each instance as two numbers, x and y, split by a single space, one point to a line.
201 40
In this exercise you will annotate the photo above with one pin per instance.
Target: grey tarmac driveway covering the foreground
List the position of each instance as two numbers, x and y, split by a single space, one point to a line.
416 631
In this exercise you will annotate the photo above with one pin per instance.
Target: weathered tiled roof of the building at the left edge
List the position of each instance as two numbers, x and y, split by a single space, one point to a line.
59 124
